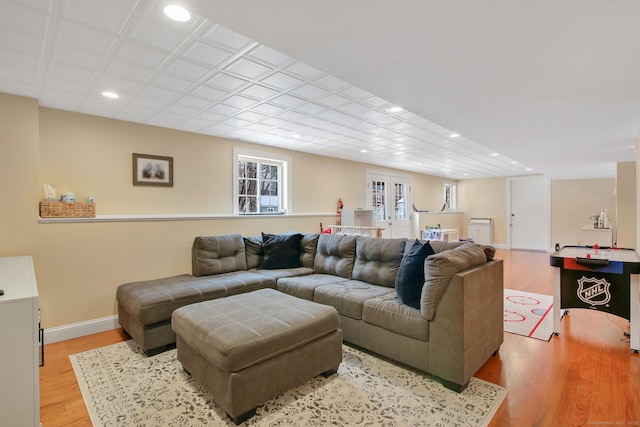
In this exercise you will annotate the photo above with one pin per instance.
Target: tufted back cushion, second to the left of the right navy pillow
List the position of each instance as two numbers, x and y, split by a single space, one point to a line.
335 255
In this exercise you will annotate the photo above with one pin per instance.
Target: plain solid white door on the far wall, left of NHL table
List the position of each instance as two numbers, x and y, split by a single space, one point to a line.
529 213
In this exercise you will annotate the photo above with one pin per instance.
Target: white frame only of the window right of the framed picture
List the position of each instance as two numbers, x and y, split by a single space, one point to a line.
283 161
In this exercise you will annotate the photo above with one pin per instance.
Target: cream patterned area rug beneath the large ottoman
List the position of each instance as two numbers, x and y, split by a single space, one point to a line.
123 387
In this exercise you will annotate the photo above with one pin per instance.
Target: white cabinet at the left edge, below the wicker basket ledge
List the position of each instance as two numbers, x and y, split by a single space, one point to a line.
19 357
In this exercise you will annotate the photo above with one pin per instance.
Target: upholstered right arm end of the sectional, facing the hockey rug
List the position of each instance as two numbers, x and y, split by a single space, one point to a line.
468 326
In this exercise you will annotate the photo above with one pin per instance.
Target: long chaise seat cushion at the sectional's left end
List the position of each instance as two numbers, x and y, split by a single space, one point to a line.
152 301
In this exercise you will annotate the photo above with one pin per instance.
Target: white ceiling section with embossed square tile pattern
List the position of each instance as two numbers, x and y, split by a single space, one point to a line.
202 77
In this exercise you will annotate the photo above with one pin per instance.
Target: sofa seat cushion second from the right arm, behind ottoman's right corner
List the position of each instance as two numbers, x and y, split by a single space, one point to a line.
348 297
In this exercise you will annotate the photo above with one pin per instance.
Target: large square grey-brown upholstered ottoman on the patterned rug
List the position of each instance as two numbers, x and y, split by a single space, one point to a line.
248 348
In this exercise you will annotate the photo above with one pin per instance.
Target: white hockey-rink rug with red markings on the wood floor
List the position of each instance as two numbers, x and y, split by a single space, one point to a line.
528 314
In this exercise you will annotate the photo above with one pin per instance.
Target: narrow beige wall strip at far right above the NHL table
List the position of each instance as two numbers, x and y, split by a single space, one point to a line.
626 205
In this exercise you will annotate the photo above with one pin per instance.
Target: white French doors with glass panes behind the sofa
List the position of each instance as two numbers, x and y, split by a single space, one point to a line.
390 198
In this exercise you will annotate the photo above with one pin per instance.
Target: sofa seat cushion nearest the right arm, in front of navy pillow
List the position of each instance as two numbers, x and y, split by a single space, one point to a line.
388 313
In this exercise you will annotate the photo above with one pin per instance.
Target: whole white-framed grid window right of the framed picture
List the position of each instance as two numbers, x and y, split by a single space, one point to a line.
260 183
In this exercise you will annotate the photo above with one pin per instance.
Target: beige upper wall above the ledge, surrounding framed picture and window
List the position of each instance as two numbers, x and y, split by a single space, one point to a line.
88 154
